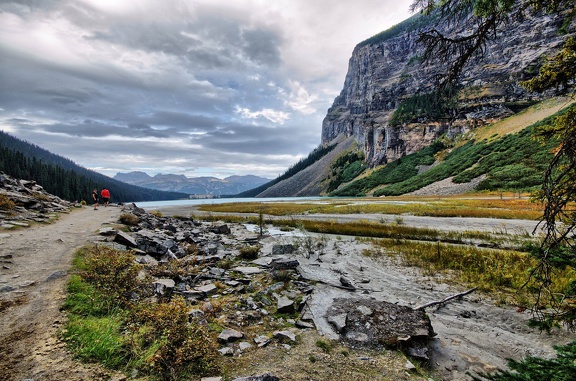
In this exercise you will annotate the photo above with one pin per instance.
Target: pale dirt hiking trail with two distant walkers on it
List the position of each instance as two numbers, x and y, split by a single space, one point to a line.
35 262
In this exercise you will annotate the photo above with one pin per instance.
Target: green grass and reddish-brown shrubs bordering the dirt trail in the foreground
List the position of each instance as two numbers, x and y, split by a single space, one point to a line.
109 322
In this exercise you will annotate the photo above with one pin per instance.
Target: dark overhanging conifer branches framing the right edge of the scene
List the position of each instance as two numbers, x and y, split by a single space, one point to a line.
472 24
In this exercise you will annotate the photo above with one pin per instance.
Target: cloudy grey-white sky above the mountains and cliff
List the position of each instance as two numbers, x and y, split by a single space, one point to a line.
193 87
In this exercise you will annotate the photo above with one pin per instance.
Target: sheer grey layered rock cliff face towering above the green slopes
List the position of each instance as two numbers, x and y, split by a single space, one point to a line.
381 74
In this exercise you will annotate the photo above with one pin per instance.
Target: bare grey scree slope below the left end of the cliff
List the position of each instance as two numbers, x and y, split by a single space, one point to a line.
312 180
